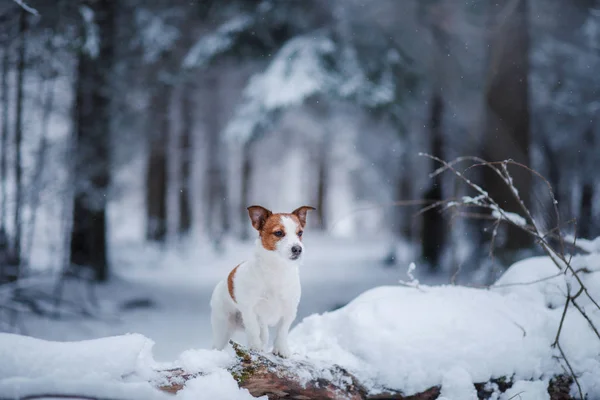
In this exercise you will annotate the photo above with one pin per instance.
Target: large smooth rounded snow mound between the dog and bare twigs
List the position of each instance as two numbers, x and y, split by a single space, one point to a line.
429 331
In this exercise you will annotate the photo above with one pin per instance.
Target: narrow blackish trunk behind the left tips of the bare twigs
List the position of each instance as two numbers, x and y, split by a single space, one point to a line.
433 236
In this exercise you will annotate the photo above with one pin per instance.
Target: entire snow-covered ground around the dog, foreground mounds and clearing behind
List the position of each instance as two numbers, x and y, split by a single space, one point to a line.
391 336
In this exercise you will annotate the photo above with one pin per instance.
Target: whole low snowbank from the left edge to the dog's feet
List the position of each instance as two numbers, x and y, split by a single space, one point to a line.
119 367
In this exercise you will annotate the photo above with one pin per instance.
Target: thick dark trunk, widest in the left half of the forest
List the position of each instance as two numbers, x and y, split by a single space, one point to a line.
92 127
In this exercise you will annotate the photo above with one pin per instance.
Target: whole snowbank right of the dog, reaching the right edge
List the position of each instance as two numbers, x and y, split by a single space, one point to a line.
410 339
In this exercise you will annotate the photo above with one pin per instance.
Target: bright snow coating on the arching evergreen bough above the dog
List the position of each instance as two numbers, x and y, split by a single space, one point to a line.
317 64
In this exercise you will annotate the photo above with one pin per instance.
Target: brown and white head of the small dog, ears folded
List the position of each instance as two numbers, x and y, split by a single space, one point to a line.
281 232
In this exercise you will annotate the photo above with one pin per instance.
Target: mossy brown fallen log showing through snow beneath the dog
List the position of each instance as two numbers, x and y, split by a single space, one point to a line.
277 378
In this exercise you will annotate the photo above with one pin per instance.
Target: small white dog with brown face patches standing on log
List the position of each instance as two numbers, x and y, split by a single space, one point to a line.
264 291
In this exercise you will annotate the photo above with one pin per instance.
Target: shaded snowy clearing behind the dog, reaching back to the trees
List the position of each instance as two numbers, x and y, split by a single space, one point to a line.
179 282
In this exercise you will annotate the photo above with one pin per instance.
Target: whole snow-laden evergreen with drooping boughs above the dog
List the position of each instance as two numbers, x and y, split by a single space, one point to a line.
313 51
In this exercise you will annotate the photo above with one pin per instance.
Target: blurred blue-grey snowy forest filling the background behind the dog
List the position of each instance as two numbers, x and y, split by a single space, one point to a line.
158 122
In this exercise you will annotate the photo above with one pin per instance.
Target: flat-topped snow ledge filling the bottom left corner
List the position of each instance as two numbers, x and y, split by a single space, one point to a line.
95 367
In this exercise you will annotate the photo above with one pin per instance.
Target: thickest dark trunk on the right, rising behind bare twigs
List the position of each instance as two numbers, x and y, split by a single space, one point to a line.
507 134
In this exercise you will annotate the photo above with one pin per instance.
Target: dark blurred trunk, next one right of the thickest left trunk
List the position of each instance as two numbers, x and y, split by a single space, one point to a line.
156 172
